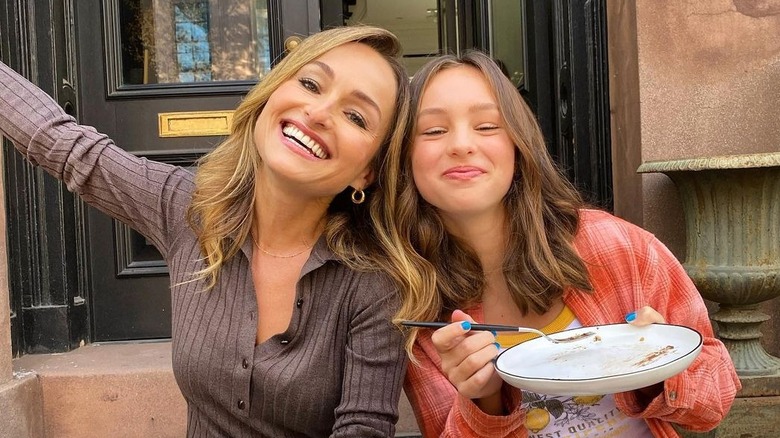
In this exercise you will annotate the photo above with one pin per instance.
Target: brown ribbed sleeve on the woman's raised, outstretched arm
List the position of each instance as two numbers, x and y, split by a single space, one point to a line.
148 196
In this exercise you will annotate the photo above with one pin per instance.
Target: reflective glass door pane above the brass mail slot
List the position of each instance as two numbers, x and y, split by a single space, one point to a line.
188 41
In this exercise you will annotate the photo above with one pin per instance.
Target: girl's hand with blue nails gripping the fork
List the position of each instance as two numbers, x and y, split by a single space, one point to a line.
467 361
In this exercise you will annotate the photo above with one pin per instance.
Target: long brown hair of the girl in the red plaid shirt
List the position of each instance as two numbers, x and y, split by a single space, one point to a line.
443 273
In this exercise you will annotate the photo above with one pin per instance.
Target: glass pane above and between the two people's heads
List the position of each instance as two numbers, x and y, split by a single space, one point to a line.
415 23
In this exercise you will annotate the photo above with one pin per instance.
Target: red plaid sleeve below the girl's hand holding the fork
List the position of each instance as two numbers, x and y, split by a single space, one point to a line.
442 412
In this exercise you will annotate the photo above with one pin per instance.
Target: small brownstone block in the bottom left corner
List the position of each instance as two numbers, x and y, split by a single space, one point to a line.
20 404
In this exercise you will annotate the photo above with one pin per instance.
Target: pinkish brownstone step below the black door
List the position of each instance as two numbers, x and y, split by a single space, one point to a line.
114 390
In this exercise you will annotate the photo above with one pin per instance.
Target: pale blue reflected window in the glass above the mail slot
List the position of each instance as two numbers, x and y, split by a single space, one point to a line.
193 52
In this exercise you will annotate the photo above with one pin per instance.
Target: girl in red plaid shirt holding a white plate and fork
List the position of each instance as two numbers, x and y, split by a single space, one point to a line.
497 235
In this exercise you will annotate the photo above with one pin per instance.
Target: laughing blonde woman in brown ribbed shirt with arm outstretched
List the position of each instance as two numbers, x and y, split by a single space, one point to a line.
280 327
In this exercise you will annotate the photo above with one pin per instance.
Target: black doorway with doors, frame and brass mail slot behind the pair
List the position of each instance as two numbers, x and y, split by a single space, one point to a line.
161 78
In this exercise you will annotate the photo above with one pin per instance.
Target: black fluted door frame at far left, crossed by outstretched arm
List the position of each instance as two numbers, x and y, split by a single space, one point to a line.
47 276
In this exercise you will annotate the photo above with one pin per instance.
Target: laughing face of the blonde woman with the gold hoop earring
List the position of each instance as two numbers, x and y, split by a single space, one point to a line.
321 128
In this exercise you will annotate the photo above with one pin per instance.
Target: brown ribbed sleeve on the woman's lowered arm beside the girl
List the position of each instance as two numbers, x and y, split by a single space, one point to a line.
375 364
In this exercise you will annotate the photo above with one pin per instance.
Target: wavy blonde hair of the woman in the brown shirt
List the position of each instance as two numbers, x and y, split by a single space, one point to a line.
222 208
